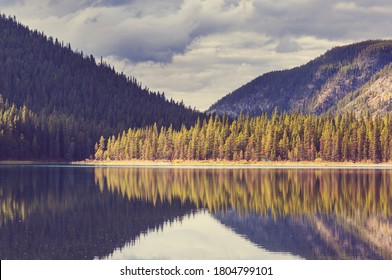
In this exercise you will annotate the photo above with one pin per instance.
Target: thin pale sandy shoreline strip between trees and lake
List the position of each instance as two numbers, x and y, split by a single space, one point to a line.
209 163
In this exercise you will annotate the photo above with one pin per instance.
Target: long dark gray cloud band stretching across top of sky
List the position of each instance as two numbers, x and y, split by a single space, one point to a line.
151 30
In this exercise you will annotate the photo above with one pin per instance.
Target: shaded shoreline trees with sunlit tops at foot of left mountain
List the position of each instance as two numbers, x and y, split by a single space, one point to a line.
27 135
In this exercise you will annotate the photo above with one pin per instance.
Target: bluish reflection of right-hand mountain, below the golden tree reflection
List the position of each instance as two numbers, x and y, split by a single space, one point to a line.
310 238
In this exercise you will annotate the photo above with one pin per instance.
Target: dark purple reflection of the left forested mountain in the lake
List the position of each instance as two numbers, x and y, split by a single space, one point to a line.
60 214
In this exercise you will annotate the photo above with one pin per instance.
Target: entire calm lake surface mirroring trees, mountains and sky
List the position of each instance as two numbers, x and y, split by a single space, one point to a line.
71 212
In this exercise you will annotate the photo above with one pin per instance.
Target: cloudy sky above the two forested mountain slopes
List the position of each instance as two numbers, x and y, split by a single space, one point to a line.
200 50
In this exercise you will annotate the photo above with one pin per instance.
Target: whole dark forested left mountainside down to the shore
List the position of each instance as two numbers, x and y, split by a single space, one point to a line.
56 102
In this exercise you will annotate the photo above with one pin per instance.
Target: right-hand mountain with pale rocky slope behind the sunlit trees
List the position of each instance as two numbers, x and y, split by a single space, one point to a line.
352 77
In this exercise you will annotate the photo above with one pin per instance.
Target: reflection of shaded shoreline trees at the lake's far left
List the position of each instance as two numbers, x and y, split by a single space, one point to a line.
26 190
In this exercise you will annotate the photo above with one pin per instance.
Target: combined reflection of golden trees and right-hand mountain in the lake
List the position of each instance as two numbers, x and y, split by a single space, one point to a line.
341 210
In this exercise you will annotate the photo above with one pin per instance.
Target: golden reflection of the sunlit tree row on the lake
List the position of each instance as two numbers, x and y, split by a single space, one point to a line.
348 193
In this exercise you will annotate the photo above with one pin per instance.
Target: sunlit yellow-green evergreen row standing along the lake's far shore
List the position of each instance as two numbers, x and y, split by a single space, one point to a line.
281 136
